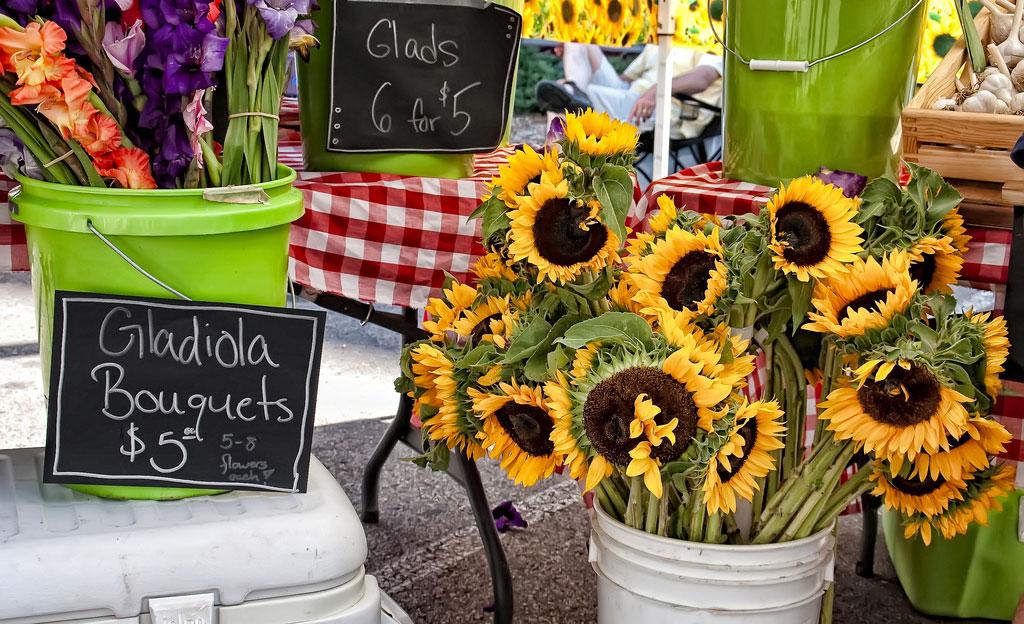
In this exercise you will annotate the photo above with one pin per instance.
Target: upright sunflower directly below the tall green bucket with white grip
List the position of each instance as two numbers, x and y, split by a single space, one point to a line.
813 230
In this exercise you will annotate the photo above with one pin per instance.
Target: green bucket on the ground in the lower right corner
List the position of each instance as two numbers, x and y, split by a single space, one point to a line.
977 575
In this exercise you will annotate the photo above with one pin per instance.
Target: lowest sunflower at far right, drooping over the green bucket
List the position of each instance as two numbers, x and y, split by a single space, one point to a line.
983 495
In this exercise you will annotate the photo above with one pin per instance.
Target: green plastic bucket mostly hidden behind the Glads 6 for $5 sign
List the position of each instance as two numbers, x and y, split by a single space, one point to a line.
315 99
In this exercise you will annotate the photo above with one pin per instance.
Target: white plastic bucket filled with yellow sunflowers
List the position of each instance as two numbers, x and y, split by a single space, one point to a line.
627 360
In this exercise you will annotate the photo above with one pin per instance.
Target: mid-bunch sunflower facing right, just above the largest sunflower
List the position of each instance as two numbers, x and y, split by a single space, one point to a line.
685 272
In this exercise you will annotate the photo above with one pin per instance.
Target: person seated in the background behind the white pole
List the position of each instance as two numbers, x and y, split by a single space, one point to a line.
592 82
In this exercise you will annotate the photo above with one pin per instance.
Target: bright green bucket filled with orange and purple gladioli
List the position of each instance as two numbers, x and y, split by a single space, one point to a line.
127 186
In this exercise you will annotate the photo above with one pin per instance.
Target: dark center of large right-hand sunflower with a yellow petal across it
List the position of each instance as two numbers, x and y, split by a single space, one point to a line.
905 399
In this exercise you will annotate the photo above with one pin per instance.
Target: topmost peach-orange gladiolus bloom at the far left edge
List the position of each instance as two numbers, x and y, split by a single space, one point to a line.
35 54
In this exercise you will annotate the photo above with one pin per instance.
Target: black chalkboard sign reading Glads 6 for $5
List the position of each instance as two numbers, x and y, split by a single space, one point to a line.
417 77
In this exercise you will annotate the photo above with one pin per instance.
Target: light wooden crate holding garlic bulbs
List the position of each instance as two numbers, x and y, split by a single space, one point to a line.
970 150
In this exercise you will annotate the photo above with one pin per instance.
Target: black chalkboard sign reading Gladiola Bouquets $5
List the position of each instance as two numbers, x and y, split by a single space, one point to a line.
182 394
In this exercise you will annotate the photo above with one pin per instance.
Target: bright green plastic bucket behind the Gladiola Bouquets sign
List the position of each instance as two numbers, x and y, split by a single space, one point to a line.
207 251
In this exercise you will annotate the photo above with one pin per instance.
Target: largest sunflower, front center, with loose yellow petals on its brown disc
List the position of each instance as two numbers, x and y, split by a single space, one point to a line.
595 414
